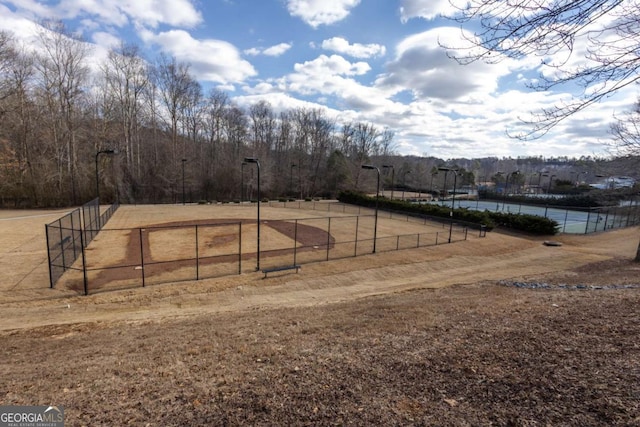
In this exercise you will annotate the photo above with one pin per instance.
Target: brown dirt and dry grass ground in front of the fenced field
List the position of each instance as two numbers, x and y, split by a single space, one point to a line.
499 330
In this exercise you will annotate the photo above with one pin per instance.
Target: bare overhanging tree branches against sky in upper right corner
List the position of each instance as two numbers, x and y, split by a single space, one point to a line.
600 35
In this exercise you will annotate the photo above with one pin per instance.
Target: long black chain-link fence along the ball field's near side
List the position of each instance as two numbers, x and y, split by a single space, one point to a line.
121 258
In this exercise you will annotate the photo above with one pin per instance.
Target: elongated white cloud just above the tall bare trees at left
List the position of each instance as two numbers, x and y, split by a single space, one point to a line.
210 60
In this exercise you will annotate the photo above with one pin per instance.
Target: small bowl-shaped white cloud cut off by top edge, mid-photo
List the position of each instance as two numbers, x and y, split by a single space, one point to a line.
321 12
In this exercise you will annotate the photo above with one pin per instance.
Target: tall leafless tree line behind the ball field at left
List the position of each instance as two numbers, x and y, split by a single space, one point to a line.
58 112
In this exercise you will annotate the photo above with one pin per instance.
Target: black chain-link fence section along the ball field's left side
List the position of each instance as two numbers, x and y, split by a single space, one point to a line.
68 236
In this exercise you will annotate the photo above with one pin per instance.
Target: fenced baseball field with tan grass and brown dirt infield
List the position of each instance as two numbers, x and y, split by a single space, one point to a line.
145 245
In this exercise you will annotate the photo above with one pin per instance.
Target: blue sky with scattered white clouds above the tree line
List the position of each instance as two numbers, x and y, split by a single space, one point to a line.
377 61
